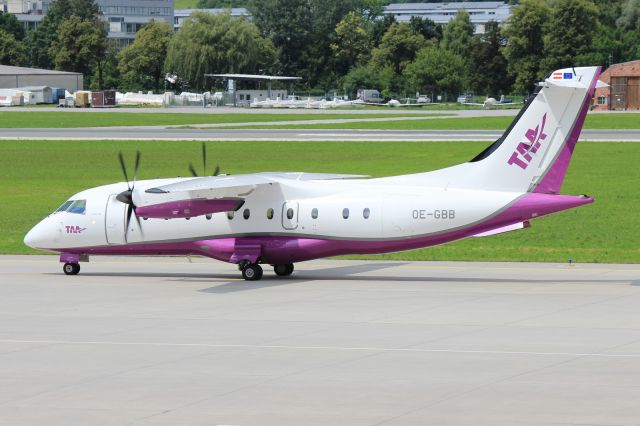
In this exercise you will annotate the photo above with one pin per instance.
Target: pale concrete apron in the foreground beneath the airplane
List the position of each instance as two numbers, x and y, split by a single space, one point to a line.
165 341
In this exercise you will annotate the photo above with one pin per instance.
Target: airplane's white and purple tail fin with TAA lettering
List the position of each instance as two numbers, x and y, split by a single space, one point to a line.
534 152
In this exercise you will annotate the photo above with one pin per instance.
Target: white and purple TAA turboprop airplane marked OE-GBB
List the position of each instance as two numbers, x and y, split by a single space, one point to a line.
283 218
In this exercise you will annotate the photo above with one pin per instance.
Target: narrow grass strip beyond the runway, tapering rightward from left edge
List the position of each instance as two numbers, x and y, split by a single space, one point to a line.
76 119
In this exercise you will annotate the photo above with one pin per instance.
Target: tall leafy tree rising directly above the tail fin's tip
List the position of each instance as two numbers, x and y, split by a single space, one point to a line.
570 33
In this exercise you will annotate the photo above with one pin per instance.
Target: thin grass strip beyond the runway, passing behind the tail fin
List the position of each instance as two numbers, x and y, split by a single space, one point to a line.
593 121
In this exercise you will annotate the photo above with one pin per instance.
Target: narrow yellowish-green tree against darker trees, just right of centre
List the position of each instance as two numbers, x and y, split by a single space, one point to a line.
353 44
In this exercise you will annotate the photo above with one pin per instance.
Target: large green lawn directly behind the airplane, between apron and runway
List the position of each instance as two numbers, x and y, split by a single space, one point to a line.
39 176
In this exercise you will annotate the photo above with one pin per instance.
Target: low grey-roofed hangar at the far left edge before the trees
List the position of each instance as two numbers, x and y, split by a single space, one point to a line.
14 77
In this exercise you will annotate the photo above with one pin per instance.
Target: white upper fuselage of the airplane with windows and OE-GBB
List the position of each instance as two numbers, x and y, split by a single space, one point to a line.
375 209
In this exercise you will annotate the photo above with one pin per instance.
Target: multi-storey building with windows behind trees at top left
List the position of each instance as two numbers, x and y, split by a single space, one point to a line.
123 17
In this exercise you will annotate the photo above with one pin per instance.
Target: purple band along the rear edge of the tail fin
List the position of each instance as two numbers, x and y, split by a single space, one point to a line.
552 181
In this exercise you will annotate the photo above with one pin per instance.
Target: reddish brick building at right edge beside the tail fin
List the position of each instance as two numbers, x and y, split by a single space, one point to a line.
623 92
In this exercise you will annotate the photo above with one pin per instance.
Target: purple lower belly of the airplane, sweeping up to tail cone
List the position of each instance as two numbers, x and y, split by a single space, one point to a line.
283 249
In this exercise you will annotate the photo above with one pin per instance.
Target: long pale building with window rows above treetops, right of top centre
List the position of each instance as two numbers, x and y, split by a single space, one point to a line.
441 13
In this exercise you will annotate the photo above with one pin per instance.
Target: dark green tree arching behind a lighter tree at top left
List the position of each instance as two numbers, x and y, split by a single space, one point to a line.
40 40
